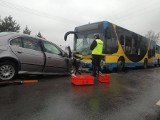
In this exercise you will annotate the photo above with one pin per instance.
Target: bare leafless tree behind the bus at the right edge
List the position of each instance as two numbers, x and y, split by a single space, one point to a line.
153 36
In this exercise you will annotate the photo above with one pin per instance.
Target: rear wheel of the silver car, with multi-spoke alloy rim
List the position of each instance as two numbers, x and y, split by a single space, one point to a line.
8 70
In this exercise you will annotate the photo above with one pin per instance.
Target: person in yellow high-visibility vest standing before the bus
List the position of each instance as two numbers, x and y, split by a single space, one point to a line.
96 47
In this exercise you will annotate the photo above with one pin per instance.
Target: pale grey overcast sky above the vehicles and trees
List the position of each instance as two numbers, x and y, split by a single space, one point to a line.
53 18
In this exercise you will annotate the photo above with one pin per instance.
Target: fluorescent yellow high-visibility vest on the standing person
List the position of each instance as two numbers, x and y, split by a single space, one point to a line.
98 49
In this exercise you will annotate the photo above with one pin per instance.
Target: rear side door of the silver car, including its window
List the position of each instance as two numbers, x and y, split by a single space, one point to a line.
28 50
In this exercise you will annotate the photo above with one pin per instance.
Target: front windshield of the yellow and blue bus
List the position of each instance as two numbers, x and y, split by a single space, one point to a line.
82 44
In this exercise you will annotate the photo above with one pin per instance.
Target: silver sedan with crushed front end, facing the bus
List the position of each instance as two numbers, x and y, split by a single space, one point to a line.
25 54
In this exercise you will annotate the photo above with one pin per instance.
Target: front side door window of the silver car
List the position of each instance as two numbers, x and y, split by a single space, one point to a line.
51 48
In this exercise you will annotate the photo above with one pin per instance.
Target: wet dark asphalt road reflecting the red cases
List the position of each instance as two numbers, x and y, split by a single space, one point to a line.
130 95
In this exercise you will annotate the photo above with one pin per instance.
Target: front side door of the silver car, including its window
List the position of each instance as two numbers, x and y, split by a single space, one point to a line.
55 62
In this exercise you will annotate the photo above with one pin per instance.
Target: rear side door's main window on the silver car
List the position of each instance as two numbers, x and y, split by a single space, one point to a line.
31 43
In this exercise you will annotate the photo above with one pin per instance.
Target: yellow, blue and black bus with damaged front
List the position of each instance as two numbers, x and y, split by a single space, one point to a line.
122 48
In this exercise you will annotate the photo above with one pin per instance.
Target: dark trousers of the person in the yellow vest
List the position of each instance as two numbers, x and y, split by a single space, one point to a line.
96 60
